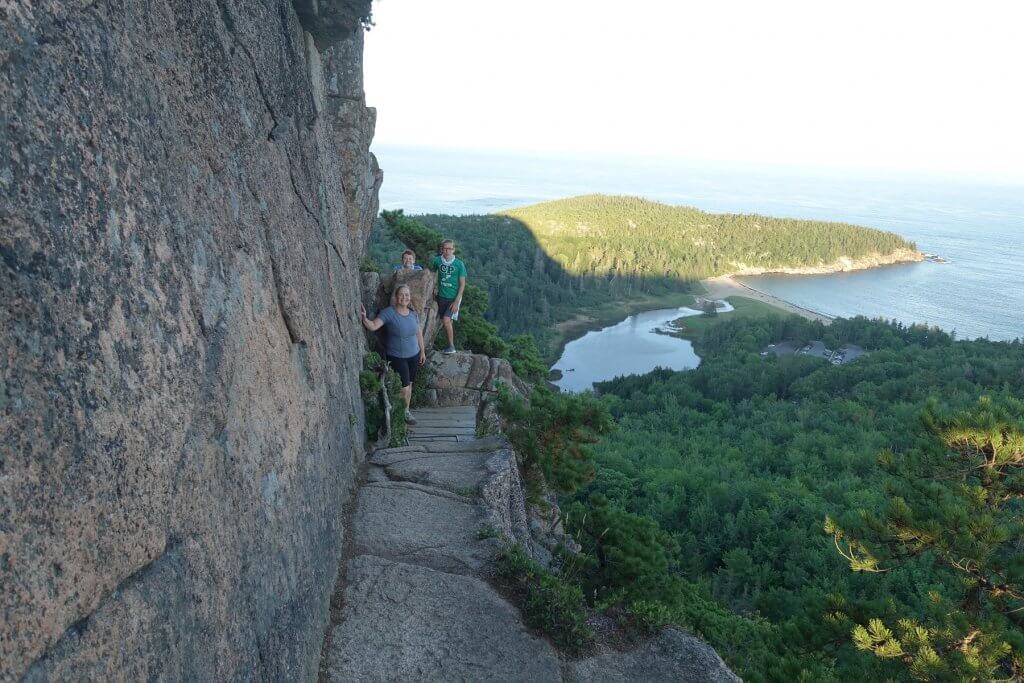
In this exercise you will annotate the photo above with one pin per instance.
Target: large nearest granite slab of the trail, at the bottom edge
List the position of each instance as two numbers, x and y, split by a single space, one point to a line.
406 623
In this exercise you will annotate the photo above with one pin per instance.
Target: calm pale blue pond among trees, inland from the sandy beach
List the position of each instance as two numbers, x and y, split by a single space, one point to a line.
635 347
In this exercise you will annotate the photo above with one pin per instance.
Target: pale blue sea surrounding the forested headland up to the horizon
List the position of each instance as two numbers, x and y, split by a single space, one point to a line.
979 229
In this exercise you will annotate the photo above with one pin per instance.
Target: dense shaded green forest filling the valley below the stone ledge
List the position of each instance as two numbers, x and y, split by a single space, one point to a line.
711 502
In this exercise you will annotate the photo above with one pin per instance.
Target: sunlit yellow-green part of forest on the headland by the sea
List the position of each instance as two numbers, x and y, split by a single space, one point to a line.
602 236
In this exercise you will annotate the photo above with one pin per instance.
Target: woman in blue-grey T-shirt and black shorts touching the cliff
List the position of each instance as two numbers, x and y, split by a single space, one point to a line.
405 348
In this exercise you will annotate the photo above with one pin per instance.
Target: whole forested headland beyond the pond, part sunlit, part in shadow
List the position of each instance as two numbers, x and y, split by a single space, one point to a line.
544 264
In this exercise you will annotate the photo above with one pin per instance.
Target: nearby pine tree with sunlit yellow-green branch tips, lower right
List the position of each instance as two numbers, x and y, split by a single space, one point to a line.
958 499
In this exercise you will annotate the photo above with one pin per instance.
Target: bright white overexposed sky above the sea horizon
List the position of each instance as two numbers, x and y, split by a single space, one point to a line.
901 86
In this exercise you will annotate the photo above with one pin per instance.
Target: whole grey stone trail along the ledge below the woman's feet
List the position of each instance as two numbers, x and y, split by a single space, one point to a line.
415 604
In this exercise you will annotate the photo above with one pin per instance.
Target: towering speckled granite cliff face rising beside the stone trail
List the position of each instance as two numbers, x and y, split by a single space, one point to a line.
186 192
